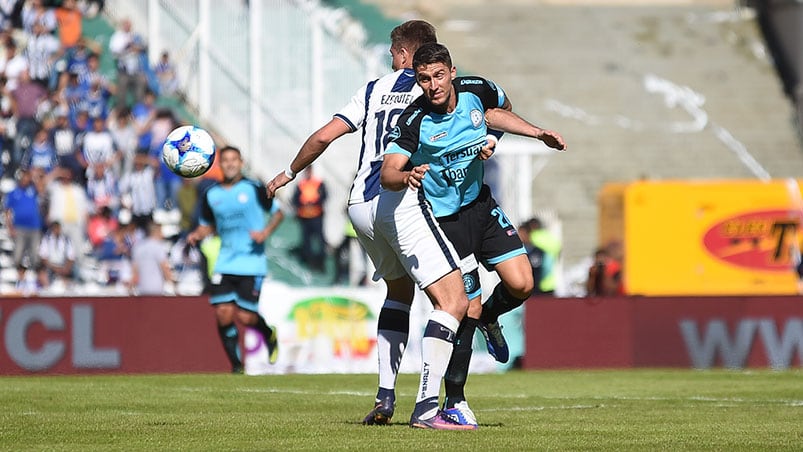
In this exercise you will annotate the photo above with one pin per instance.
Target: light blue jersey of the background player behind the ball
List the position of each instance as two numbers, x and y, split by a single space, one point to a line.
235 212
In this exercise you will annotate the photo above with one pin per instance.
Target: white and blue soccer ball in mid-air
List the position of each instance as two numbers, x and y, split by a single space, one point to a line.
189 151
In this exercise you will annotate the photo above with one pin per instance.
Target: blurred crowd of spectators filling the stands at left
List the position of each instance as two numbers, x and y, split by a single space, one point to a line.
82 177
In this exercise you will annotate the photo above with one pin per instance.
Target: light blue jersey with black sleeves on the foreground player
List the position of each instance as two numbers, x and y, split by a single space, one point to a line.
449 143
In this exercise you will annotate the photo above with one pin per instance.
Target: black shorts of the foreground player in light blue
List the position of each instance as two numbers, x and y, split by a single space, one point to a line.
482 228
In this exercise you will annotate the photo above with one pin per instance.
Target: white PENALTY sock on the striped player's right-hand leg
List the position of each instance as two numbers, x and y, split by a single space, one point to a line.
436 350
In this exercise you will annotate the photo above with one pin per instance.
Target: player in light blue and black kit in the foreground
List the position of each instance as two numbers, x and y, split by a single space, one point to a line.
438 147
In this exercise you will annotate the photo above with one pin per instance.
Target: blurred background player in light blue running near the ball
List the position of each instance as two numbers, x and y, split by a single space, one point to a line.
236 209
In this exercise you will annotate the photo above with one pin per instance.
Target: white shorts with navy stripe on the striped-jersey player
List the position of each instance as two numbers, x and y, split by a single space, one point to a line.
401 235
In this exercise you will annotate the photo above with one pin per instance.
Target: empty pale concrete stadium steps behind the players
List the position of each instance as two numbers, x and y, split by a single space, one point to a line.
582 68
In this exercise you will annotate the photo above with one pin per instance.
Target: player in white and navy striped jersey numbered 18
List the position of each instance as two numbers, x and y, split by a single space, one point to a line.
399 234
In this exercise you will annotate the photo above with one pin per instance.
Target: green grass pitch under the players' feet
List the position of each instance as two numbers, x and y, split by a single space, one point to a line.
640 410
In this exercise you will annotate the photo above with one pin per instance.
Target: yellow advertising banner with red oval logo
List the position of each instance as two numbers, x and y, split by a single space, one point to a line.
712 237
